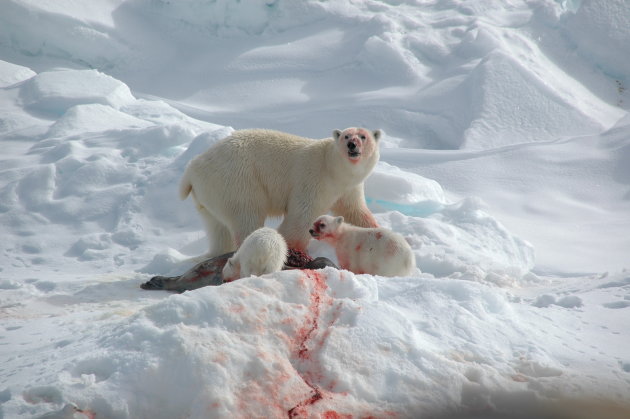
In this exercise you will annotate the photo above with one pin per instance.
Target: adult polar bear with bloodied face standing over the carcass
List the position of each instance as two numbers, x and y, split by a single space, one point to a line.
254 174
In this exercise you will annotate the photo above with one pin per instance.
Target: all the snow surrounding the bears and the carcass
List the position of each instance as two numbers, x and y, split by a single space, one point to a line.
504 161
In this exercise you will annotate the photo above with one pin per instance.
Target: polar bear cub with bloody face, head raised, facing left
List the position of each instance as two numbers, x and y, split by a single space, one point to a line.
376 251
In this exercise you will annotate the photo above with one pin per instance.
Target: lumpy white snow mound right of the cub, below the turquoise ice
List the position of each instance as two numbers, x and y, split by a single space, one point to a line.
461 240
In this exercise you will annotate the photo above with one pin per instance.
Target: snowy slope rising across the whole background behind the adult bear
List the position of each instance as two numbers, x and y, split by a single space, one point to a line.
466 76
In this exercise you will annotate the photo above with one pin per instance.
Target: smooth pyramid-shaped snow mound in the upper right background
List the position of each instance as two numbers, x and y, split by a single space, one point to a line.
520 113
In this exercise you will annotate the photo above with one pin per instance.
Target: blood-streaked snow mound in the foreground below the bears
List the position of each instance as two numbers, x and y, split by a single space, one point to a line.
291 350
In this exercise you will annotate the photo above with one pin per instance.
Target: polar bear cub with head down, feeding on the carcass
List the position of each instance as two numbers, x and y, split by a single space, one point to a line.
262 252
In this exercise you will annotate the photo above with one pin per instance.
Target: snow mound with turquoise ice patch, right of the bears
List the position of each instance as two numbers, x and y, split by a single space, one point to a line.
459 238
